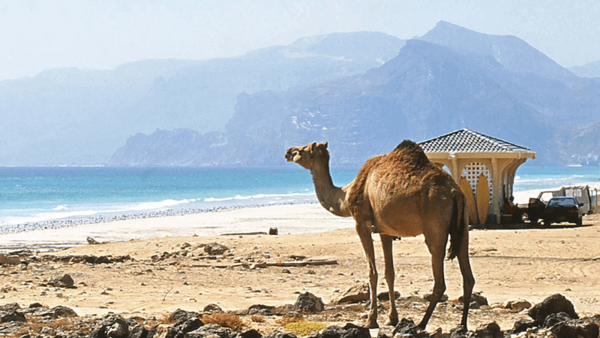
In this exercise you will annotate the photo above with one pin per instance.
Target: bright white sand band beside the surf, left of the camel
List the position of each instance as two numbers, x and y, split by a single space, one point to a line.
294 218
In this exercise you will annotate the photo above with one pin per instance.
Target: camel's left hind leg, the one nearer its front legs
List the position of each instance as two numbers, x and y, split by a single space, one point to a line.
437 248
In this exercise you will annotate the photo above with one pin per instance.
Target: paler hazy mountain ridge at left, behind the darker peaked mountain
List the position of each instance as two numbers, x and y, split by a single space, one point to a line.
79 117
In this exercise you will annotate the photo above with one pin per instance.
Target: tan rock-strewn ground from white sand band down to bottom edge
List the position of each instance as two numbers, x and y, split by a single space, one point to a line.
529 283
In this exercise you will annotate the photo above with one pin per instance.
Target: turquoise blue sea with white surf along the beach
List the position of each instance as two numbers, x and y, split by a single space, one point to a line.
36 197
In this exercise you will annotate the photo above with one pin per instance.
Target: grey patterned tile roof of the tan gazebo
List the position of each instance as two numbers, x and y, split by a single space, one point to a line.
468 141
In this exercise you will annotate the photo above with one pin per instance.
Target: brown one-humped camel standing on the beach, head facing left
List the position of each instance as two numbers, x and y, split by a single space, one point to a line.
399 194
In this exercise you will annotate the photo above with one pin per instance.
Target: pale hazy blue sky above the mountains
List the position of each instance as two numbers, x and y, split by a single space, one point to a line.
103 34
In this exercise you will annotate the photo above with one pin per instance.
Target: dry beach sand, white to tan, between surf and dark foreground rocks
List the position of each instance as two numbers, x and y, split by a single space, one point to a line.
508 264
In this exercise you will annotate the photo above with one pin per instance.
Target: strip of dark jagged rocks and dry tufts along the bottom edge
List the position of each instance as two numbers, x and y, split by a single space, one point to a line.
554 317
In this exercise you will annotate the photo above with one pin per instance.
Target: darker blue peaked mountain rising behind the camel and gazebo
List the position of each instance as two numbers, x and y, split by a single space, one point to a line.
451 78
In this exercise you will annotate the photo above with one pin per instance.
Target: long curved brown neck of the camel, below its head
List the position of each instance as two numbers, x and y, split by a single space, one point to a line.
331 197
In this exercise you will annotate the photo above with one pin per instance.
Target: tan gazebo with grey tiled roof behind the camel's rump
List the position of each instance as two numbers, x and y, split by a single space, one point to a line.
469 154
